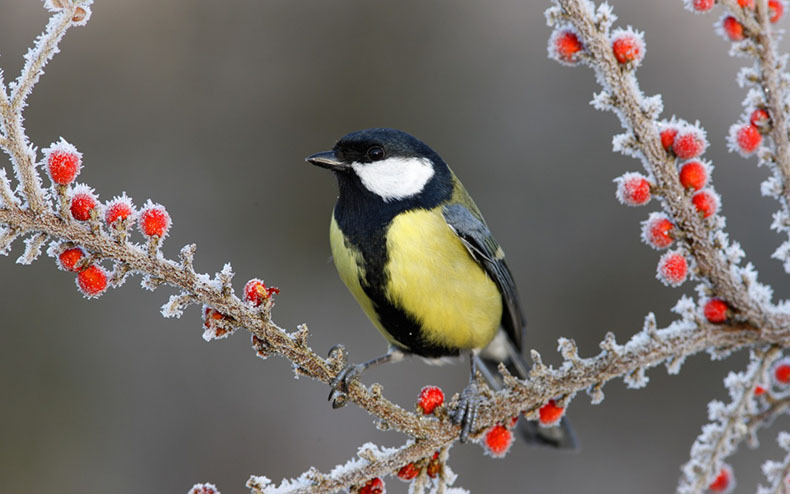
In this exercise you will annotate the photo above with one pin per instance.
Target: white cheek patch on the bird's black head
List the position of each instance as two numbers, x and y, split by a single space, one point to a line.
395 178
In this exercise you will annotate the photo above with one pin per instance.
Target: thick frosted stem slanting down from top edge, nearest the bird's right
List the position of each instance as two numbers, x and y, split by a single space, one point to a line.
695 224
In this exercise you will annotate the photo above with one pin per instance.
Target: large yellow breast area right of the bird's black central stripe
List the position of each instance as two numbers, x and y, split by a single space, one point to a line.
433 277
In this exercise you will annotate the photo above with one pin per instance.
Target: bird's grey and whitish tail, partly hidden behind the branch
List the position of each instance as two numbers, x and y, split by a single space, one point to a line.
502 350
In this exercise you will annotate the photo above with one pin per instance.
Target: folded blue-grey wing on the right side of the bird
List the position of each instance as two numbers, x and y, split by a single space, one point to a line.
482 246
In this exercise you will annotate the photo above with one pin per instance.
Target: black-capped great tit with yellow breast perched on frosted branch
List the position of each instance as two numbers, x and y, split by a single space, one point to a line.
414 250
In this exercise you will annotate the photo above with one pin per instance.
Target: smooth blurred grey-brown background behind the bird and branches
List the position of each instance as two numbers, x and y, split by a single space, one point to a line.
210 109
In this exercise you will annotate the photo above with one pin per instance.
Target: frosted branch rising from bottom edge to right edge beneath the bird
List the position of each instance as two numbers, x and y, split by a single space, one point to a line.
648 348
